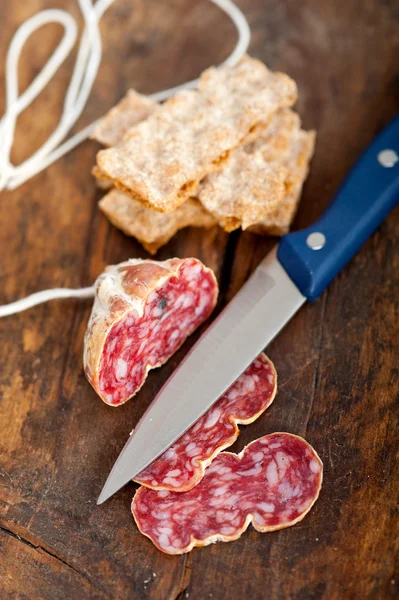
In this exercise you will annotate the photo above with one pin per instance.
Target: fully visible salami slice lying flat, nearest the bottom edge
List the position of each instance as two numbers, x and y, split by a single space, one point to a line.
272 484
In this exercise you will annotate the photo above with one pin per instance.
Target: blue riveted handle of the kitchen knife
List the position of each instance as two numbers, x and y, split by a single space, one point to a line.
366 196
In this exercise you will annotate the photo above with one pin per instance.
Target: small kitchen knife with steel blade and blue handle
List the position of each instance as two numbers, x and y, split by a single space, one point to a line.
297 270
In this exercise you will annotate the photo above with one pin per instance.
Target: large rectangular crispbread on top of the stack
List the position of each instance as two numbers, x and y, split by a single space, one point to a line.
161 160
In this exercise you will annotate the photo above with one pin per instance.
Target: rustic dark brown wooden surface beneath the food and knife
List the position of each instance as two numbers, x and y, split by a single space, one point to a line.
337 360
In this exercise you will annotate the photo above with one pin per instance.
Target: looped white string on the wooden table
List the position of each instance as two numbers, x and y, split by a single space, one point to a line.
82 80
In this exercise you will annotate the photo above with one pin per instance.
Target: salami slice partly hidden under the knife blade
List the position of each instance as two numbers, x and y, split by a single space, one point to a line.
182 466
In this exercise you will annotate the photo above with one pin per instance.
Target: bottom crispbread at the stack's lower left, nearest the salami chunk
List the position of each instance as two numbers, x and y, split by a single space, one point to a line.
153 229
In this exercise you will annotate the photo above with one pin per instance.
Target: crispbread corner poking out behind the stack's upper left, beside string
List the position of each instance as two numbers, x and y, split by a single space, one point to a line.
132 109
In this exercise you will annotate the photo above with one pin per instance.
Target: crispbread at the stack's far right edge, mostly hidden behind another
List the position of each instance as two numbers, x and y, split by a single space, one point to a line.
296 159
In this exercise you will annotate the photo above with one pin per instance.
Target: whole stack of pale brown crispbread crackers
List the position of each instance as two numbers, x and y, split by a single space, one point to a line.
231 153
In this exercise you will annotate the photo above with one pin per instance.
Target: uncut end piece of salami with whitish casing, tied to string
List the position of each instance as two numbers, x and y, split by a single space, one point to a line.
142 313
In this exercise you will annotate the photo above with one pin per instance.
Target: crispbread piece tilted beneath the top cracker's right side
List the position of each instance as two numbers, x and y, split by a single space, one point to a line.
261 181
